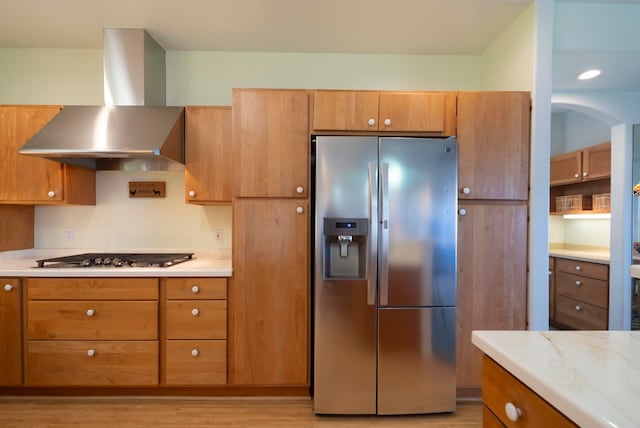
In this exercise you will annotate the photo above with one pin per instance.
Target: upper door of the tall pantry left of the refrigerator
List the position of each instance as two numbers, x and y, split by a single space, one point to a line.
270 143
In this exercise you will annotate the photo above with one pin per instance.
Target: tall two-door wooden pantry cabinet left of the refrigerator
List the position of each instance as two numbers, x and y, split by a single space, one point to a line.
269 295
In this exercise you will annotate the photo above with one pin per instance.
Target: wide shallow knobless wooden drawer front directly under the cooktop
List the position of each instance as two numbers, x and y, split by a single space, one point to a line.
92 289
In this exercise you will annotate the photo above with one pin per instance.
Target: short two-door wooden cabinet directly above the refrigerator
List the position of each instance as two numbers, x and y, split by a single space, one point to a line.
427 112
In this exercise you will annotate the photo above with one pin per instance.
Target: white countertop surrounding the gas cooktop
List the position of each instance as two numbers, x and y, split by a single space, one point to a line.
22 263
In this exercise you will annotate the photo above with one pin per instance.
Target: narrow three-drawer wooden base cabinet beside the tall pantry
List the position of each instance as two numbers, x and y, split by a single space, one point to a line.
195 331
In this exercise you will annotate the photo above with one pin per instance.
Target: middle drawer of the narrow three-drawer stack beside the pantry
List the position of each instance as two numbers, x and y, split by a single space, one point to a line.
197 319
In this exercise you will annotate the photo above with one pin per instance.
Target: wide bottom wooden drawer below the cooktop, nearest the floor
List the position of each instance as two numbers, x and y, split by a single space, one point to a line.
71 363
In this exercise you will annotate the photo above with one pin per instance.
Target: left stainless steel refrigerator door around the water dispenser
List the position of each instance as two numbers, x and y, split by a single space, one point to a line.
345 312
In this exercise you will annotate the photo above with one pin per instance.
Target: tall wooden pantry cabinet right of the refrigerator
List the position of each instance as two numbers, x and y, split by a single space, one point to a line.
494 136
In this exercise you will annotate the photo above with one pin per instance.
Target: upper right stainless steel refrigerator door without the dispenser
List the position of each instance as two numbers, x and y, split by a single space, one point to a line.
420 213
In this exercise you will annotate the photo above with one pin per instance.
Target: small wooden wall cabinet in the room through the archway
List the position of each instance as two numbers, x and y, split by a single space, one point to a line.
591 163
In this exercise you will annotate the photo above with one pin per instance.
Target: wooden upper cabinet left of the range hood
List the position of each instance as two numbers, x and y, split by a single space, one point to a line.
31 180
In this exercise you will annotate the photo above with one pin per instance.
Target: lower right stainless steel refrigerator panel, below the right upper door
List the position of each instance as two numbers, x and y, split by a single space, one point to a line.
416 361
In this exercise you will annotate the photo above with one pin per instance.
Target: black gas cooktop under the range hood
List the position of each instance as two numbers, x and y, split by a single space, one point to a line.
106 260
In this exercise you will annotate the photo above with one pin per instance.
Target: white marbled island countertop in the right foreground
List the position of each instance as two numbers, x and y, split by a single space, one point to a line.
592 377
